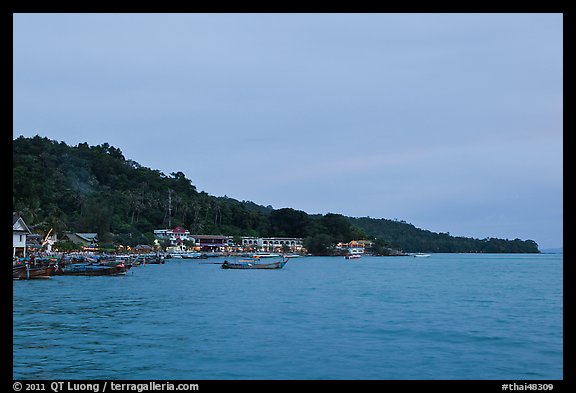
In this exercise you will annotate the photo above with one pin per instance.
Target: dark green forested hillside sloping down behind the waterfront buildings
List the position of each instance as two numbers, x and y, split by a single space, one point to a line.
96 189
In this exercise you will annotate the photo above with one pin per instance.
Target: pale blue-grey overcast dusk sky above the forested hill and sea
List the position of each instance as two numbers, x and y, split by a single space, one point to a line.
450 122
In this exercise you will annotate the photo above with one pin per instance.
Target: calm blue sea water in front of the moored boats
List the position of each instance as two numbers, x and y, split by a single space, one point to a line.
450 316
